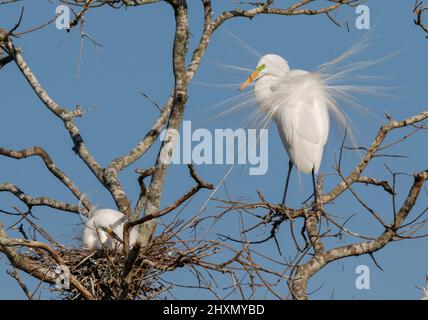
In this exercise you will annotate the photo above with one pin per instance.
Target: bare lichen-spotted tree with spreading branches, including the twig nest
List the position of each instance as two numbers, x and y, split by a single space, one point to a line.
142 271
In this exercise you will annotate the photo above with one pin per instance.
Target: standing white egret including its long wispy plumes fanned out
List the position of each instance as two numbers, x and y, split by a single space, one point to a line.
302 104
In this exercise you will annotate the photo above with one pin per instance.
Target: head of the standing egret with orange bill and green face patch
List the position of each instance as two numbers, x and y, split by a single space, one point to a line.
269 65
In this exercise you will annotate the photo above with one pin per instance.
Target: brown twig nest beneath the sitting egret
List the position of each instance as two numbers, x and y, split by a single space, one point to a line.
101 272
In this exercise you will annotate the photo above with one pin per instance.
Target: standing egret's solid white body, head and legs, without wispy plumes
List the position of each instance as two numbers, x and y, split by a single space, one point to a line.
298 101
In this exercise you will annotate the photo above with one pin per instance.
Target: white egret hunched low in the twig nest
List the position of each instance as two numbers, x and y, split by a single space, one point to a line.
104 230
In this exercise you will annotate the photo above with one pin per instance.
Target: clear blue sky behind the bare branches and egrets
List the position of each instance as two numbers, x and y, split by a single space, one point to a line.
136 56
